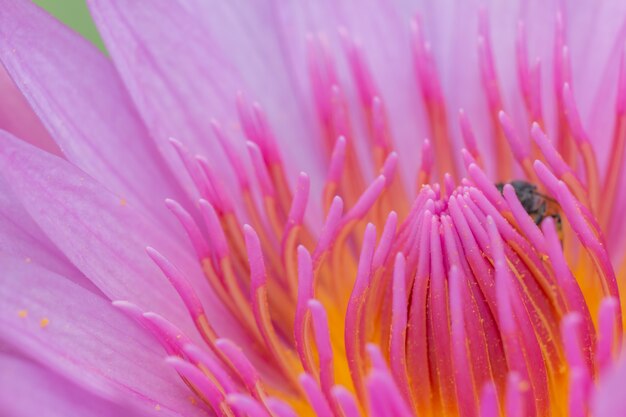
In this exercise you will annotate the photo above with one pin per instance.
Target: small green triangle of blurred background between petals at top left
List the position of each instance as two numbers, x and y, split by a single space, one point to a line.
75 14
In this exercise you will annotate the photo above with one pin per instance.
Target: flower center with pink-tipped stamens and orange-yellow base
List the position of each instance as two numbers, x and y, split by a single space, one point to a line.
463 298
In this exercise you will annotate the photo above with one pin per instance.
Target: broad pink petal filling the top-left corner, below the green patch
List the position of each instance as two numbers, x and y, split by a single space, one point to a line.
77 94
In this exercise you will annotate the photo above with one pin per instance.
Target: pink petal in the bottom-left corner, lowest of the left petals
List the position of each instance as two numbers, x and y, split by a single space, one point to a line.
30 390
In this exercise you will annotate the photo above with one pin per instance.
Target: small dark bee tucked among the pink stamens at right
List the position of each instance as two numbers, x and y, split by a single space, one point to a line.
538 206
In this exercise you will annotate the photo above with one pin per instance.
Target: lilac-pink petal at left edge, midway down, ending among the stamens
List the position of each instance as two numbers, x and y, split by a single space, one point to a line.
104 236
